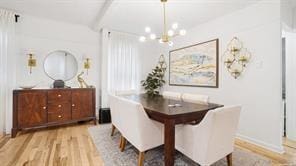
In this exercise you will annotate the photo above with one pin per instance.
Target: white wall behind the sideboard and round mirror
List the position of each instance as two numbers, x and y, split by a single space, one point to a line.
42 36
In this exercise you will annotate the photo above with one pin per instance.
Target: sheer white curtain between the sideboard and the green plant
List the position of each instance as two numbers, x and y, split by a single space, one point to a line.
123 61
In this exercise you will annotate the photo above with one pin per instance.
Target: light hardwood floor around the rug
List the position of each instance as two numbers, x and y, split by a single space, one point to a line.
72 145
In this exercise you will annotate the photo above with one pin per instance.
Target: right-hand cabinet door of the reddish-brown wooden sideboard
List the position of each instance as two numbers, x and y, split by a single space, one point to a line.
82 104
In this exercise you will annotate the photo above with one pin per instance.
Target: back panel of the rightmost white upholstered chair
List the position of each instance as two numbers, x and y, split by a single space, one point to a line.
219 130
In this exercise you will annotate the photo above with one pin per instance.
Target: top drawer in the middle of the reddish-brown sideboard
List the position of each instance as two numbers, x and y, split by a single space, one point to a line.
55 96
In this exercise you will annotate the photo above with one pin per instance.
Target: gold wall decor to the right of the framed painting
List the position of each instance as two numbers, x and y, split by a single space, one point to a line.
236 57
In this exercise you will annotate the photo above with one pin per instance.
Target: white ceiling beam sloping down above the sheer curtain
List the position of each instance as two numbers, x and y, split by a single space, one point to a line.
98 23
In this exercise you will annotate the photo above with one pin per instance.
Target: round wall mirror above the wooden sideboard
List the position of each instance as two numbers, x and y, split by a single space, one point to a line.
60 65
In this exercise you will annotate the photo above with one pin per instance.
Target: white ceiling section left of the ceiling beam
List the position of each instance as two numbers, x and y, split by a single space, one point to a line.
73 11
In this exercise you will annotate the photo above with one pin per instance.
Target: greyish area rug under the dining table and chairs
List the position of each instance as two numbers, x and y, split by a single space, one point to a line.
108 147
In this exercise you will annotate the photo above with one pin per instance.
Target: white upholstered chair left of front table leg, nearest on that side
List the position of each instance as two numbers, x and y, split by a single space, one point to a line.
142 132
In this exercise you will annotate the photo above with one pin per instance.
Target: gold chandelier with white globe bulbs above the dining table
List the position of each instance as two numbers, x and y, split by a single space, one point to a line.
167 34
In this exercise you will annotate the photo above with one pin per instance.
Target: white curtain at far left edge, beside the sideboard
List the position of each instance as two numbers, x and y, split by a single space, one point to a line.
7 68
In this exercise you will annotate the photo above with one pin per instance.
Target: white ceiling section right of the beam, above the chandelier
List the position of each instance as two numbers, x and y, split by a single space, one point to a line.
133 15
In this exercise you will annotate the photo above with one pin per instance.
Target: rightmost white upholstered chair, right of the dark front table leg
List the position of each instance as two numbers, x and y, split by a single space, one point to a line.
212 139
